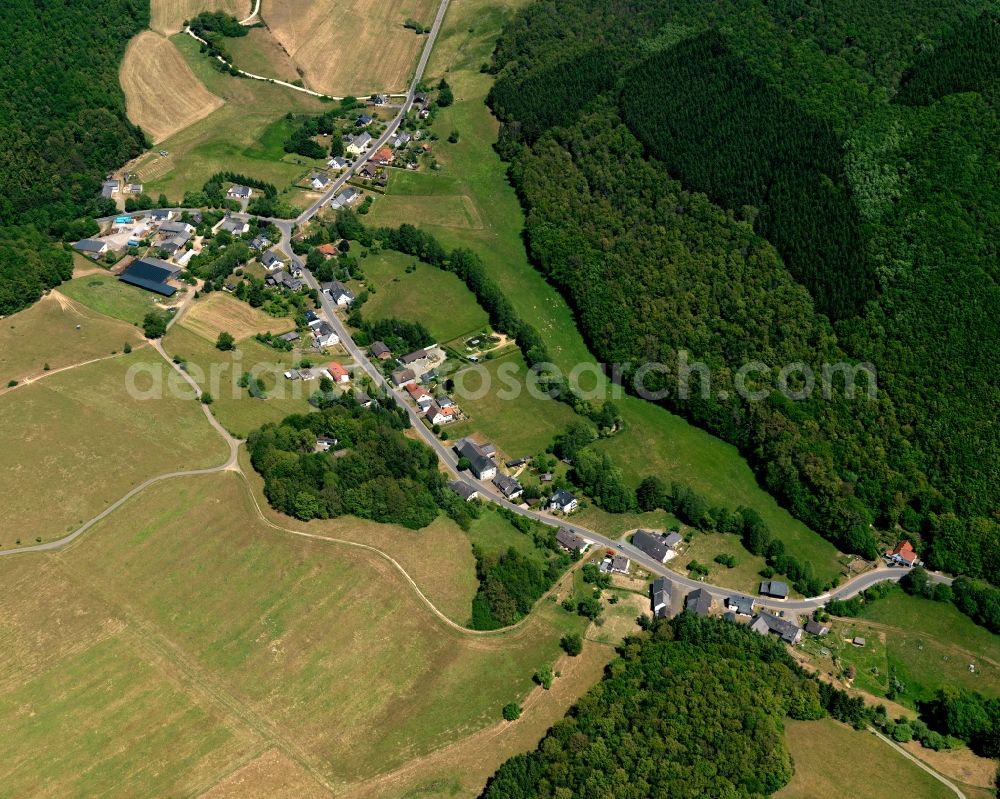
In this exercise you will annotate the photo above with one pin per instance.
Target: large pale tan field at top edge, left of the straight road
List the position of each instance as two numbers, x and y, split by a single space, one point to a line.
350 46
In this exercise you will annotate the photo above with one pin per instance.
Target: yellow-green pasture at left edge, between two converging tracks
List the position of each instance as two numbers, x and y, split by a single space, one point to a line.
79 441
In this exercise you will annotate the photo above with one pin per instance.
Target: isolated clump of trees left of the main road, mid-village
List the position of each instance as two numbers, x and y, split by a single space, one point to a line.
383 476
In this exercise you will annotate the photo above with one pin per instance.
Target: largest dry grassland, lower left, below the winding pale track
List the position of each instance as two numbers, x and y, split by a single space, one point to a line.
295 624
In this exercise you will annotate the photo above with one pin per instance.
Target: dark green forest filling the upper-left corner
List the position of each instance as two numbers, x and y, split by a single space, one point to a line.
64 129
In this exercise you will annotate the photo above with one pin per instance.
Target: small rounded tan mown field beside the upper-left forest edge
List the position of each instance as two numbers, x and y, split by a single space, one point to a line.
162 94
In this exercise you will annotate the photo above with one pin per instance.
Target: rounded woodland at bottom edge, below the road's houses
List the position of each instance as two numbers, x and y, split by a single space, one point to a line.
693 708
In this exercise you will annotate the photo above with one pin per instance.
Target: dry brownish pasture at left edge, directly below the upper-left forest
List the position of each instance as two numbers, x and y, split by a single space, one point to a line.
46 333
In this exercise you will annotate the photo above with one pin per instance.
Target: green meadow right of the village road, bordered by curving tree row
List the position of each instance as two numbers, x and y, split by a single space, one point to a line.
437 299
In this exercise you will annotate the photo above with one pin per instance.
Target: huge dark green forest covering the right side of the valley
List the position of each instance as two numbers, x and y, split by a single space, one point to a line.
786 182
